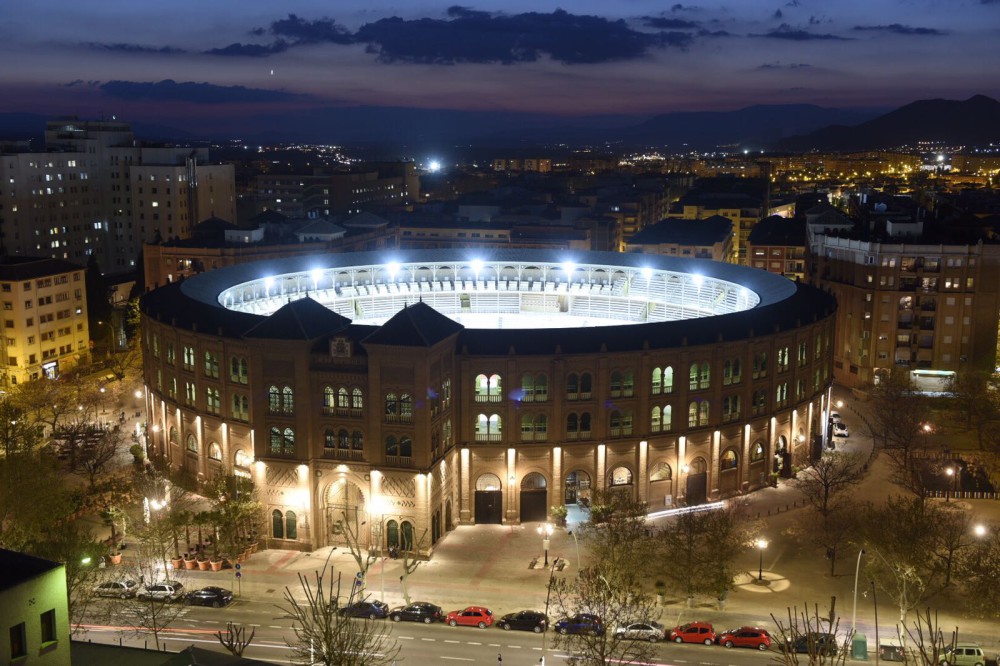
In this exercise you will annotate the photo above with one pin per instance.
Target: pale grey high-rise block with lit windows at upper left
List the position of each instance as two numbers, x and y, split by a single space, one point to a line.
96 191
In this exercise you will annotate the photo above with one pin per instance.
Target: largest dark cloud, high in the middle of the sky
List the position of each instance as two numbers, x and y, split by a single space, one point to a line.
480 37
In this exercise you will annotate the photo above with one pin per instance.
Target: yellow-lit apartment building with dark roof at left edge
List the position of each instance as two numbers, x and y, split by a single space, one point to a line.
44 303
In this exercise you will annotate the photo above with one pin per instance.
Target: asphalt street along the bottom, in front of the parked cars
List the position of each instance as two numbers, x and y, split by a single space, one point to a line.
419 643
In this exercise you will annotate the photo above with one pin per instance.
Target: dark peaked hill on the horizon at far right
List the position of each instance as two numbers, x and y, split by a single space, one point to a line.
973 121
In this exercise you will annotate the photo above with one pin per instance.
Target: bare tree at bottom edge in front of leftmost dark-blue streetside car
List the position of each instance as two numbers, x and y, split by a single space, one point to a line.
324 636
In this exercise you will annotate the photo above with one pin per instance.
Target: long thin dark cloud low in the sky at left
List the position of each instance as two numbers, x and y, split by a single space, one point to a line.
190 91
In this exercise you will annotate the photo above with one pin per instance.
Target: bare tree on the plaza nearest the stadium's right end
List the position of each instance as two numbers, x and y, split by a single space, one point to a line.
826 486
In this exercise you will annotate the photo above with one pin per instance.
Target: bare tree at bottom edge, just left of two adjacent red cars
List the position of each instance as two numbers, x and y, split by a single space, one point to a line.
617 599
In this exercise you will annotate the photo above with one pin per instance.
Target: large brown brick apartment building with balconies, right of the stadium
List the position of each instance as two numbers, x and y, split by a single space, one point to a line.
909 295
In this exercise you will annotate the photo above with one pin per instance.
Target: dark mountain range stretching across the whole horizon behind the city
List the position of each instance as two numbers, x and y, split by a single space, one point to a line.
786 127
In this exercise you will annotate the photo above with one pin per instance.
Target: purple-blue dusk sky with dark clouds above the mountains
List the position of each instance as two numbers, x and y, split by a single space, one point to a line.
225 59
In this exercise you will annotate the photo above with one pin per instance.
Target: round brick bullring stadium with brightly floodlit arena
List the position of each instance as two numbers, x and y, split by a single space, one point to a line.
426 389
